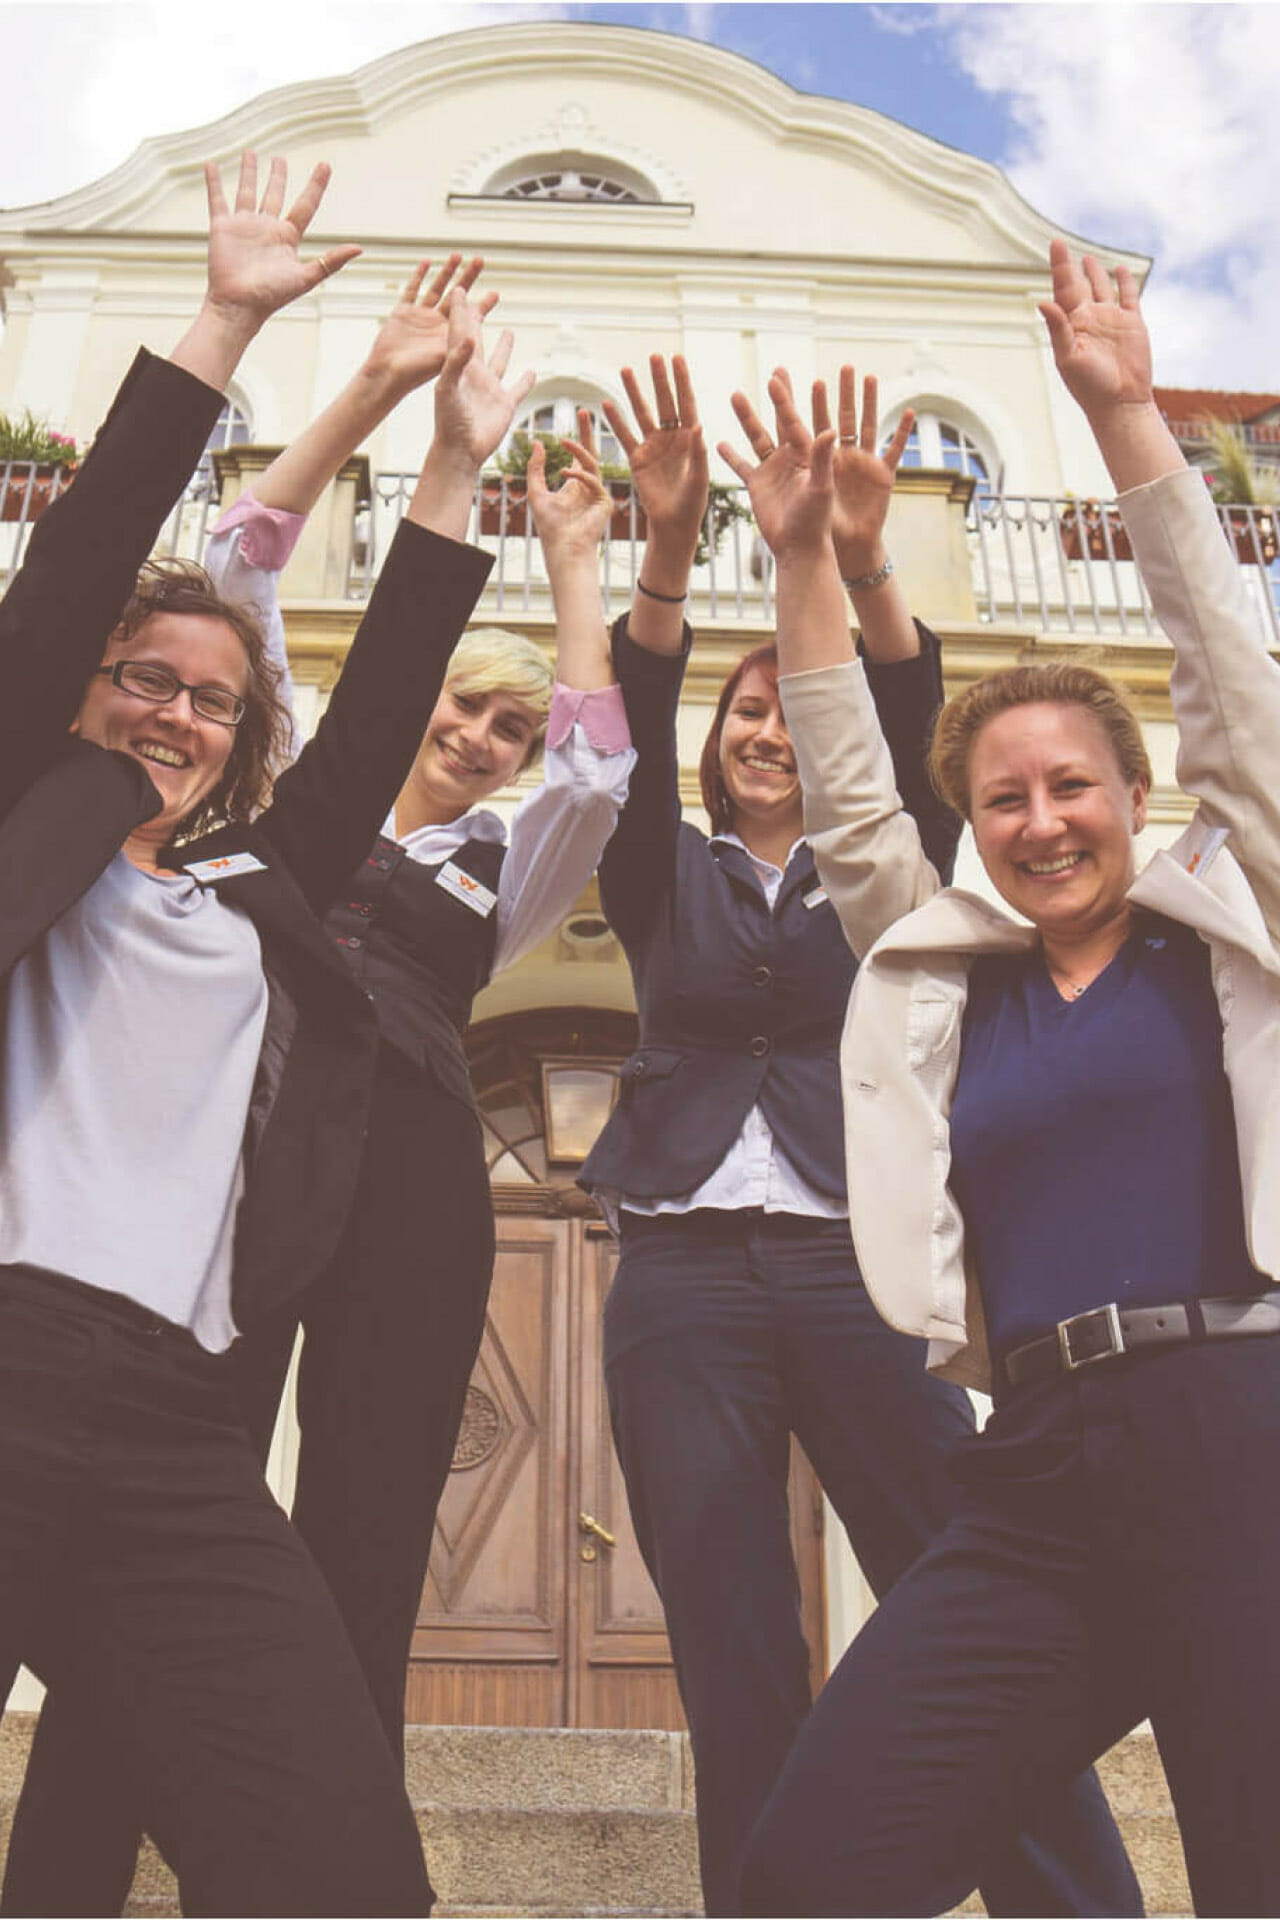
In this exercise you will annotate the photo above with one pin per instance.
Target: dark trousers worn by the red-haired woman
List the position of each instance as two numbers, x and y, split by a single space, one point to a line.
724 1335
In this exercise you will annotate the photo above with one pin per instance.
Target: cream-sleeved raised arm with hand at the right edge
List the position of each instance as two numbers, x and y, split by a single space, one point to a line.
1225 686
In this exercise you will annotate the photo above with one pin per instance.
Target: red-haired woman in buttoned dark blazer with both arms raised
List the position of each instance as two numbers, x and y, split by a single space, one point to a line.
738 1314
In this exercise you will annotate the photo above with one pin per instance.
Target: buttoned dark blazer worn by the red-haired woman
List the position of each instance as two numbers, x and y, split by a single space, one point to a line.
738 1005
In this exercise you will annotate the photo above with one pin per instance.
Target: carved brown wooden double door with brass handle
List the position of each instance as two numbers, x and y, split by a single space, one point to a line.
538 1610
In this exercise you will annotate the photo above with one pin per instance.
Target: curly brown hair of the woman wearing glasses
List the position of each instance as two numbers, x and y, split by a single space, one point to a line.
264 738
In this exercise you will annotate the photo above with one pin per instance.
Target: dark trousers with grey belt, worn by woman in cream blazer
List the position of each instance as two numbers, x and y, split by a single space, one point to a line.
1116 1556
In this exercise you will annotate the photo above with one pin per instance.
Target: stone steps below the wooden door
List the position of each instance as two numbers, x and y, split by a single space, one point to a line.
538 1823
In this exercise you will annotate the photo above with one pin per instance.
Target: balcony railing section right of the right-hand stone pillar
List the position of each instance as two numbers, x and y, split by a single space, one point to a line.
1066 565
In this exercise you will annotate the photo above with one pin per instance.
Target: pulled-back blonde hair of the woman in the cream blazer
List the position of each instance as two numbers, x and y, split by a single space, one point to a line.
1056 684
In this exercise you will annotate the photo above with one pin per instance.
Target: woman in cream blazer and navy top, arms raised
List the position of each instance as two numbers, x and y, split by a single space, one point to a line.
1116 1547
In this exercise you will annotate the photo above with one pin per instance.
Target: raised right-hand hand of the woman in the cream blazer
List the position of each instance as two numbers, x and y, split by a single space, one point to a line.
1099 335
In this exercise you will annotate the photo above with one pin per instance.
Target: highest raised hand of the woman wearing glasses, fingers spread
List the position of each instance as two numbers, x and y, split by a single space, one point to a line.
254 251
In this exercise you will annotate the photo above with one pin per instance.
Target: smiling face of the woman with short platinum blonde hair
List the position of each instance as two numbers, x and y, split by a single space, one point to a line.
475 744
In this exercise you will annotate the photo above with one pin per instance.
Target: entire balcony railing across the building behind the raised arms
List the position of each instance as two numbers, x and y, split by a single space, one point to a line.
1035 562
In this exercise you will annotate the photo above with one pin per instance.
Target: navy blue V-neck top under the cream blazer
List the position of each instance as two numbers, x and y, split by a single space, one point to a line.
1095 1141
